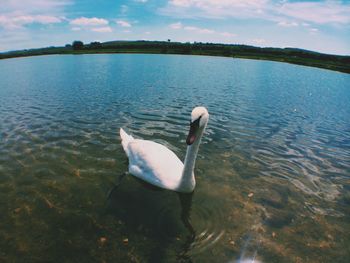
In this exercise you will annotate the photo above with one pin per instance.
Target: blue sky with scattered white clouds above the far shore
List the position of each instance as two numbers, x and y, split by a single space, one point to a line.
318 25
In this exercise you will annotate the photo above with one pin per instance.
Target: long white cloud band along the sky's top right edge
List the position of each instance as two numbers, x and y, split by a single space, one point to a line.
320 12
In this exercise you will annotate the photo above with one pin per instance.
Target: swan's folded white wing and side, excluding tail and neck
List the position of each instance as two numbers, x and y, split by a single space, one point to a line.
154 163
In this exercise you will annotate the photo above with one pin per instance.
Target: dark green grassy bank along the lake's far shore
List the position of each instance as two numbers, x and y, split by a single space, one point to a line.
290 55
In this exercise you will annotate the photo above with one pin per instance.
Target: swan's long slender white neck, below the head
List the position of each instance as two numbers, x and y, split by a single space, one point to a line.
188 180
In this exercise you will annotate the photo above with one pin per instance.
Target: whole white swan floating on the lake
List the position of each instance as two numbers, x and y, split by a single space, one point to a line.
157 165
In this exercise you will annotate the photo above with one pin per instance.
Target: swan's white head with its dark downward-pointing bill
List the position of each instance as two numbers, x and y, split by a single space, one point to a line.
199 119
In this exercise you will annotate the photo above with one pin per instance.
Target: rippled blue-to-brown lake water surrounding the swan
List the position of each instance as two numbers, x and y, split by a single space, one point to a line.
273 171
